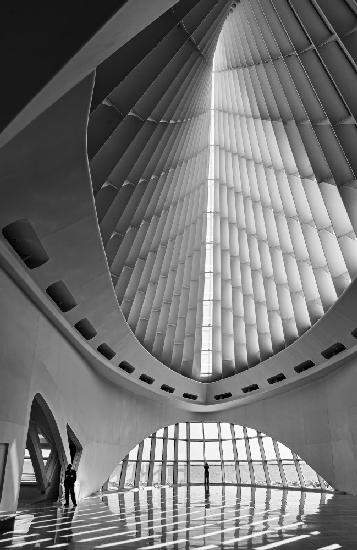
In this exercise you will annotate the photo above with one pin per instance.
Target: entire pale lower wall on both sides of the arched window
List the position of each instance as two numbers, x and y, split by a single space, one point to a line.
317 420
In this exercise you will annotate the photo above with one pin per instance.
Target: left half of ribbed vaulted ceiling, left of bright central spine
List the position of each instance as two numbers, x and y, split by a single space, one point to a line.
148 149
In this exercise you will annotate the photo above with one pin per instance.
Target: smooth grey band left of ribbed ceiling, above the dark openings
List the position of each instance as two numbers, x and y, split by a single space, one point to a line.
45 178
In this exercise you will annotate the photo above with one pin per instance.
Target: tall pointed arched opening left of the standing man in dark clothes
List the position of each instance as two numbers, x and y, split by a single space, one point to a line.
44 459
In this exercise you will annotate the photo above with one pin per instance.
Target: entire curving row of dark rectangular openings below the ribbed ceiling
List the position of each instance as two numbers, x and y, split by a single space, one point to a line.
24 240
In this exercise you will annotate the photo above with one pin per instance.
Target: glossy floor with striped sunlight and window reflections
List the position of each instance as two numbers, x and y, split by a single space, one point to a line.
187 518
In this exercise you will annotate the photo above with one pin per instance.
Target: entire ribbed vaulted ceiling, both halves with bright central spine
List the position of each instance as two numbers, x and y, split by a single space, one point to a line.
228 224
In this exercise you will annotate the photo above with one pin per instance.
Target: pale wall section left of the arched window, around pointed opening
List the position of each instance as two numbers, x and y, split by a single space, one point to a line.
36 358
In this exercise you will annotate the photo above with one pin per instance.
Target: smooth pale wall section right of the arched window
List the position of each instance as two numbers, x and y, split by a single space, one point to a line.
317 420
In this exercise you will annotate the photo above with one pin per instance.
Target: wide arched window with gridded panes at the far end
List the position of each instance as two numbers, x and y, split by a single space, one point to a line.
235 454
